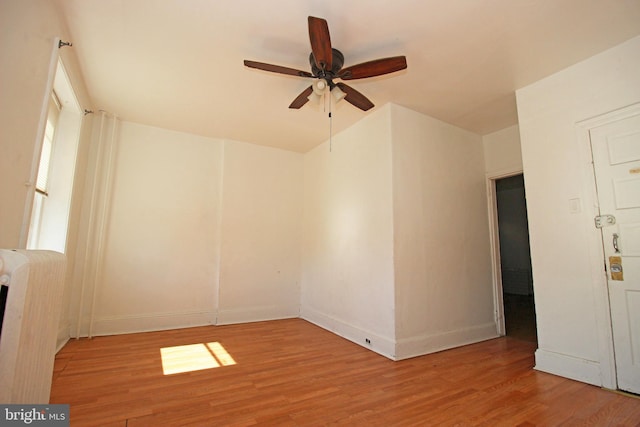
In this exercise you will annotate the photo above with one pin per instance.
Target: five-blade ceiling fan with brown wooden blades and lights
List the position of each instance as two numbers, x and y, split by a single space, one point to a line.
326 65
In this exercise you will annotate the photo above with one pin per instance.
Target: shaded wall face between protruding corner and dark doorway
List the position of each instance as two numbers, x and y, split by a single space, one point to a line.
443 282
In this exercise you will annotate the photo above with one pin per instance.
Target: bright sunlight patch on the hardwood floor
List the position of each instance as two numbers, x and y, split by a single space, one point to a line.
194 357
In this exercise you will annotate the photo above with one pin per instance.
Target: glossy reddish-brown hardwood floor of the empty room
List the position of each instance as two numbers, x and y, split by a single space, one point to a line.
290 373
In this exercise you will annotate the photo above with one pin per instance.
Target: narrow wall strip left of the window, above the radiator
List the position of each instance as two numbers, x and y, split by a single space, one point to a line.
25 61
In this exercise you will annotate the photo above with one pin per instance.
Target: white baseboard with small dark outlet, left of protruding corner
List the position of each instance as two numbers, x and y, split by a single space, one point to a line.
377 343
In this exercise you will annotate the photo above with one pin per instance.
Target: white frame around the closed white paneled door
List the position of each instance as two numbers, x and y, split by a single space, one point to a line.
595 242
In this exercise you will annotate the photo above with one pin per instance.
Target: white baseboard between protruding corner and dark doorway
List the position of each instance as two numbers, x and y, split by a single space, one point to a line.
425 344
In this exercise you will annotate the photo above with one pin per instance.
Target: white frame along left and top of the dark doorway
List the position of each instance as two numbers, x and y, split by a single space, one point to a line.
494 240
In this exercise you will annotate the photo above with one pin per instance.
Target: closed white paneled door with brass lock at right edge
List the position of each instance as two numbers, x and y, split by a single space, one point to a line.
616 157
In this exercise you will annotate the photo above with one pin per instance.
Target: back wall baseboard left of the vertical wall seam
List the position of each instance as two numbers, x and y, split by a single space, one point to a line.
117 325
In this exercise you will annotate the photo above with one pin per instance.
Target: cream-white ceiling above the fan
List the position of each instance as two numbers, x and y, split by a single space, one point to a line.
178 64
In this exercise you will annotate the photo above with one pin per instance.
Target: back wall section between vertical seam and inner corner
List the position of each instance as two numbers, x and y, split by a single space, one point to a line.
261 232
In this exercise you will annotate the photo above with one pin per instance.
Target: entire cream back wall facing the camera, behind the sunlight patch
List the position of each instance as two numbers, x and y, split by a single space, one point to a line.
198 231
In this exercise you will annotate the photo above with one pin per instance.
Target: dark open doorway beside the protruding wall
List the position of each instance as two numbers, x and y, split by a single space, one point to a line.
515 259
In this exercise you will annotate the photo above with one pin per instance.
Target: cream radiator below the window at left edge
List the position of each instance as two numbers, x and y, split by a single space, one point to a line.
35 284
